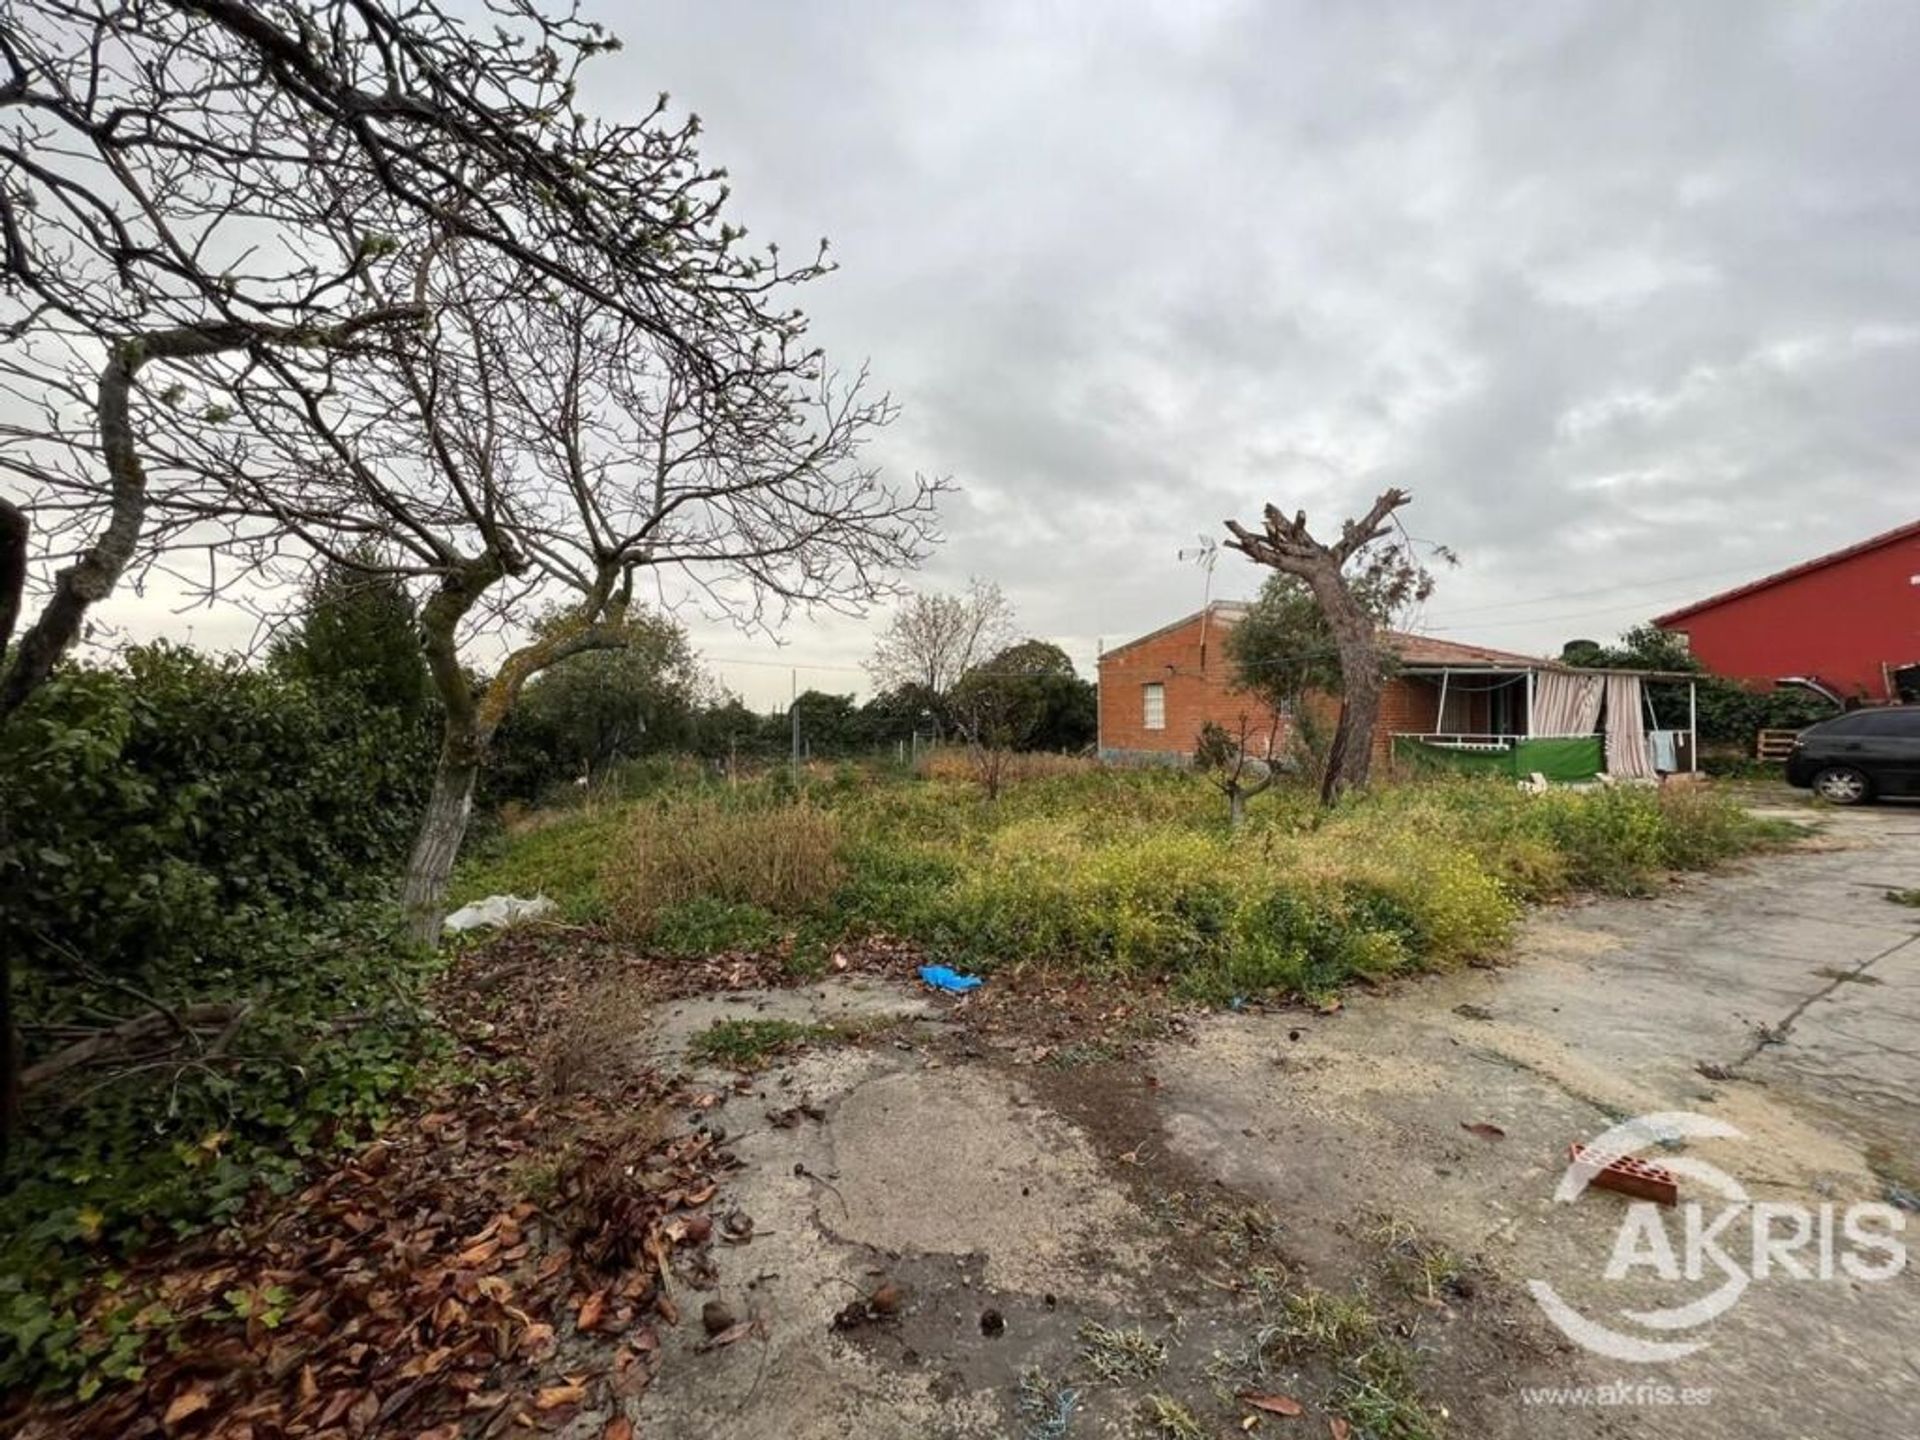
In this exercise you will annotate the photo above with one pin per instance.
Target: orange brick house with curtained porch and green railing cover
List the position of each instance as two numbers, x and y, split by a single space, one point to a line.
1445 700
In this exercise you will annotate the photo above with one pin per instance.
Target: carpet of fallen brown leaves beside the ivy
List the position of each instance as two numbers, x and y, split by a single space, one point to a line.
496 1262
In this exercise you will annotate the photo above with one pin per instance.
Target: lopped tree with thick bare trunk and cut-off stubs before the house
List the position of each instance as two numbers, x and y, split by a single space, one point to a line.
1287 546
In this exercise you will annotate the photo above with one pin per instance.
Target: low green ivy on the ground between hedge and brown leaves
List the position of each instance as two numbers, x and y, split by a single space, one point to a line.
103 1168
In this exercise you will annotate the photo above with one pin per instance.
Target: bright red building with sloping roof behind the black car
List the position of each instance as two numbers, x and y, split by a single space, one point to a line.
1850 621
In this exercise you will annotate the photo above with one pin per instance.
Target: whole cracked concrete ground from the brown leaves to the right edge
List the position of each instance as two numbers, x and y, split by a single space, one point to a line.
994 1197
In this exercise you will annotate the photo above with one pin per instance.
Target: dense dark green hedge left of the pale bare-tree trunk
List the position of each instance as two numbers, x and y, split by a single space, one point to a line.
151 815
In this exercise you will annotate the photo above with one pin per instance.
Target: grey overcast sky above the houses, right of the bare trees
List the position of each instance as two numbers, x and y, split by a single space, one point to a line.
1627 295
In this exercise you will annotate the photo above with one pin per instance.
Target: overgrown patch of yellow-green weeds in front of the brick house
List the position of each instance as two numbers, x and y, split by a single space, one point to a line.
1130 873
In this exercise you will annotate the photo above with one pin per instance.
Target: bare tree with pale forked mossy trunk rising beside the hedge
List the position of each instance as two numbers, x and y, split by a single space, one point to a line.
539 454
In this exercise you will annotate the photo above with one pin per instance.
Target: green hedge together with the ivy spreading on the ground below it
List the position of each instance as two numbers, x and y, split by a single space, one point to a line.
181 830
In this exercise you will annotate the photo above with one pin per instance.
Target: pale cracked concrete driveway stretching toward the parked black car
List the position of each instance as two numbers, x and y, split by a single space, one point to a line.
1606 1013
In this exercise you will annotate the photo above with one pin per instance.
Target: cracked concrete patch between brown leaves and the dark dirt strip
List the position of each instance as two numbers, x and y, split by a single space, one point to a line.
942 1180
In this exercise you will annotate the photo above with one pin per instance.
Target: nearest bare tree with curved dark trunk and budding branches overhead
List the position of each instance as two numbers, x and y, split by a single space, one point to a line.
164 231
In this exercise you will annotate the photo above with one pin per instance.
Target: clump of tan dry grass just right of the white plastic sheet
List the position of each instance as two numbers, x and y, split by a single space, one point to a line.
782 859
